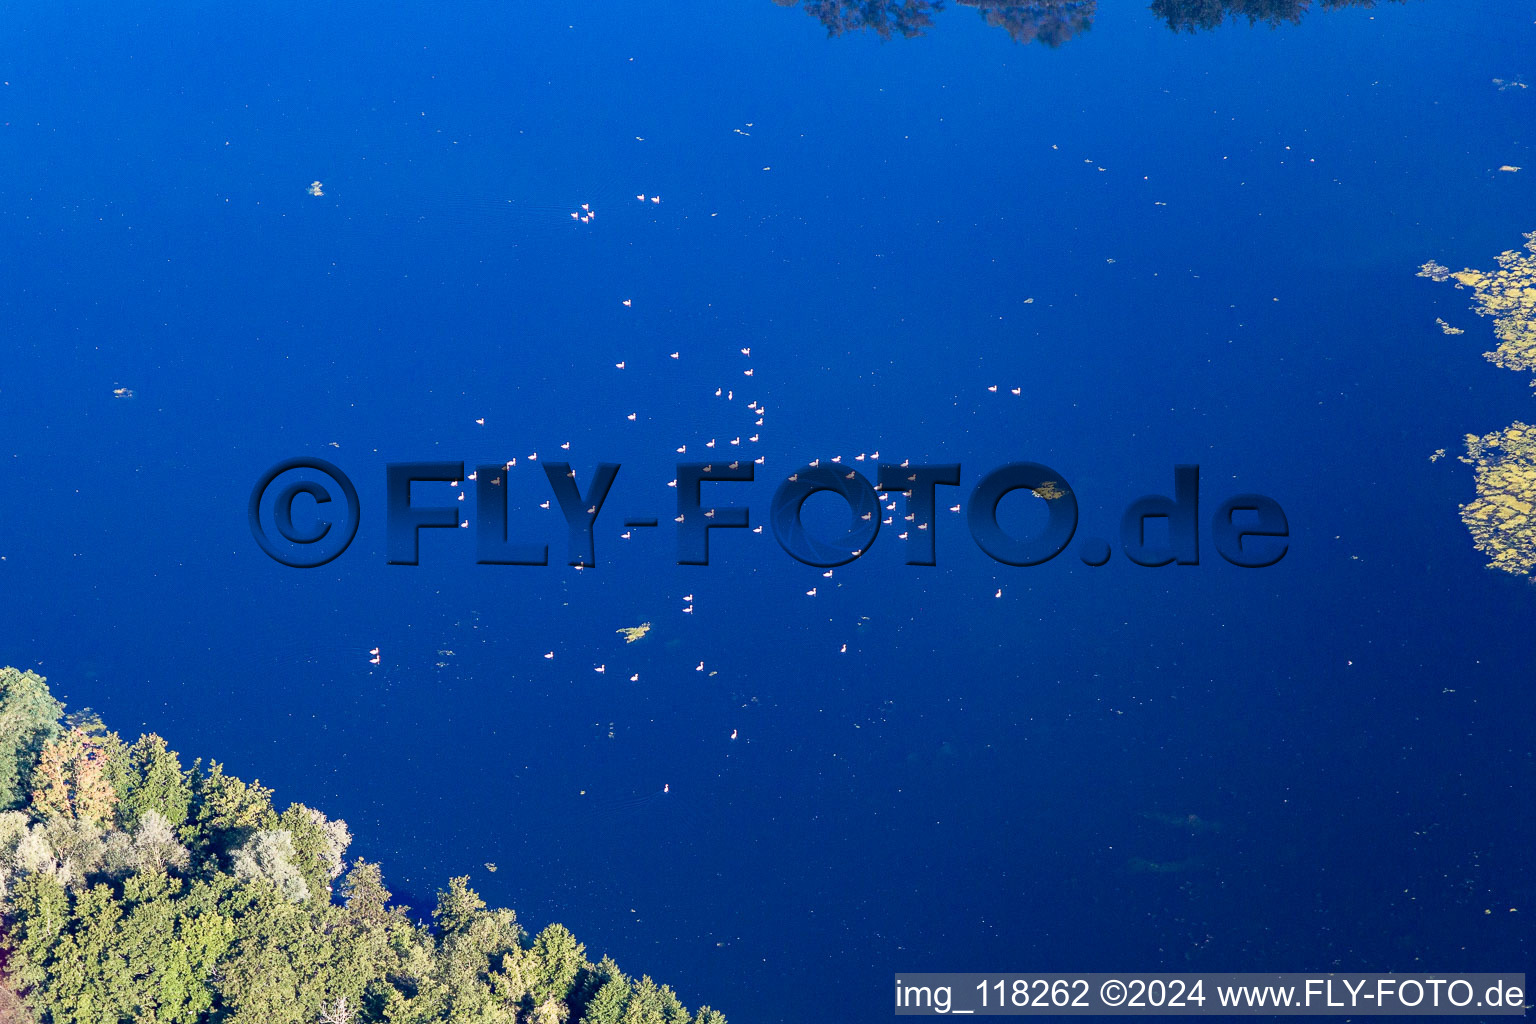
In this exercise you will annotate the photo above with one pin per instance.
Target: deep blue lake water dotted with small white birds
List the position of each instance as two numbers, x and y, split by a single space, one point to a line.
1179 248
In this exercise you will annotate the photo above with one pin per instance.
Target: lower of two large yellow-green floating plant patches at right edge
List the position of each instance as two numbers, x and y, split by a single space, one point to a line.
1500 518
